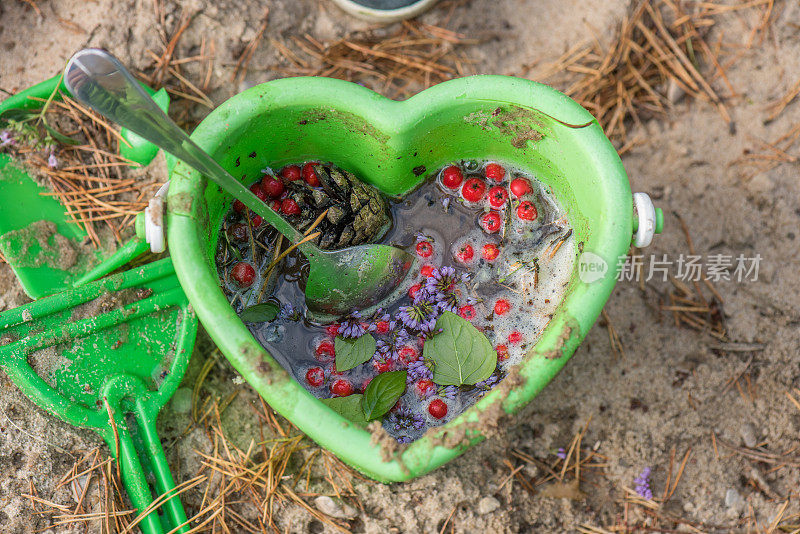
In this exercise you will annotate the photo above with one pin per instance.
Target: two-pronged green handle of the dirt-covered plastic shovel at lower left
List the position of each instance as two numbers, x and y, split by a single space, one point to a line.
165 513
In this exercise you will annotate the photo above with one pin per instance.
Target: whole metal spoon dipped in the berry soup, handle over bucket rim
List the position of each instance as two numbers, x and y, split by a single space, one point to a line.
339 282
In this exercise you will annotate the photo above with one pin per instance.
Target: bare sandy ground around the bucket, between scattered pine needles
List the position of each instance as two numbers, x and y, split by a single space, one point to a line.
667 392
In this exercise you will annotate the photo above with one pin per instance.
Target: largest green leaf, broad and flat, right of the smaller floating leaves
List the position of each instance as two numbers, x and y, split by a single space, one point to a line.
460 353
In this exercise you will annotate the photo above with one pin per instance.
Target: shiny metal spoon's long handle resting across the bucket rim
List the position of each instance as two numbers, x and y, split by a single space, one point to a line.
100 81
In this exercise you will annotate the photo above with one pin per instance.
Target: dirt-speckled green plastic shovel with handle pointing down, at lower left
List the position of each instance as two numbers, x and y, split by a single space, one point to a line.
118 346
